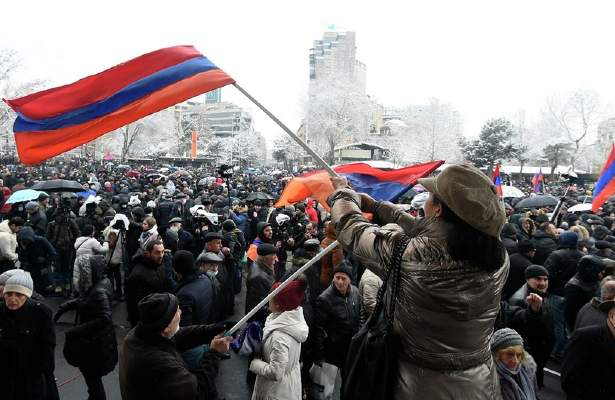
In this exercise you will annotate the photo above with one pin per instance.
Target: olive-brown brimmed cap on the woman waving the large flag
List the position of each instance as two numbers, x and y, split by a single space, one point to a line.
471 195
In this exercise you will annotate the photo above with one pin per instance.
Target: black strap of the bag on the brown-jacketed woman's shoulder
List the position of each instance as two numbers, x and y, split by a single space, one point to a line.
391 278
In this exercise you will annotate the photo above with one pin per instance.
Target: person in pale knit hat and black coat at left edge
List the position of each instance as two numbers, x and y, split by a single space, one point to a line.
27 343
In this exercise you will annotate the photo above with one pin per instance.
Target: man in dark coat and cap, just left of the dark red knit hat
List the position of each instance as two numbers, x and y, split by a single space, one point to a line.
261 277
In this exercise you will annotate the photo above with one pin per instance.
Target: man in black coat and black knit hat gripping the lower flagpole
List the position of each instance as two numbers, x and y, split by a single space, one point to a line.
150 363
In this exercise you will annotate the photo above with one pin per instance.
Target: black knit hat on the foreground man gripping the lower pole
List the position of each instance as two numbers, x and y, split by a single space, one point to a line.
157 310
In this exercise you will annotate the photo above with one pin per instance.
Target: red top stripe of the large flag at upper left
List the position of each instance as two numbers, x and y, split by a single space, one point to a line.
52 102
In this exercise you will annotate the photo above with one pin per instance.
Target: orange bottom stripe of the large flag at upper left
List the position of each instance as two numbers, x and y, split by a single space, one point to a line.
34 147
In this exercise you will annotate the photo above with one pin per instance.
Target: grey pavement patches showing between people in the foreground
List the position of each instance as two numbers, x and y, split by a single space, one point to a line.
231 378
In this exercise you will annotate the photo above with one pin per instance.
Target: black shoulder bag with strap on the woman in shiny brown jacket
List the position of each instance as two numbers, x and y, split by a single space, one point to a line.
371 364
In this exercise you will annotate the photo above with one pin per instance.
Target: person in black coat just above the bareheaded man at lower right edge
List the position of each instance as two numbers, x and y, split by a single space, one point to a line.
582 287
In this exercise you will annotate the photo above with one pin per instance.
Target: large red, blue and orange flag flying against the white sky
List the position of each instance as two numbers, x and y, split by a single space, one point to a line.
56 120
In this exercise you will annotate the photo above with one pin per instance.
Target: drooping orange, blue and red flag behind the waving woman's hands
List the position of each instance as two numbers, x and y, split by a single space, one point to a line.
380 184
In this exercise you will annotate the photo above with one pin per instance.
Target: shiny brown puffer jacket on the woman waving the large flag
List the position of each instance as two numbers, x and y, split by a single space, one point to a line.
445 312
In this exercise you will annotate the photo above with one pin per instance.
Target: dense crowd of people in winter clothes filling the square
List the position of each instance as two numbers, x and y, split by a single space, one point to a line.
488 296
